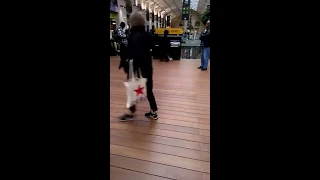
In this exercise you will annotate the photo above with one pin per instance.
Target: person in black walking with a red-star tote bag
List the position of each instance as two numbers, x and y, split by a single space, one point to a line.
139 45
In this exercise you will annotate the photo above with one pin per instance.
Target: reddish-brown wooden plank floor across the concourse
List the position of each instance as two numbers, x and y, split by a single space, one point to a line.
177 145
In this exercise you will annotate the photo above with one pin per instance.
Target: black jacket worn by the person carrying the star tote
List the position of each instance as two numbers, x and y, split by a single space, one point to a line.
139 45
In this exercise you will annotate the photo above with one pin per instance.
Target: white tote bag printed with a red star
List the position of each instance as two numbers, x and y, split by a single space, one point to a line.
136 87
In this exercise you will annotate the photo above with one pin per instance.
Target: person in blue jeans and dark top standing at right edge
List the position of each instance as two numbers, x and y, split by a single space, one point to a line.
205 47
